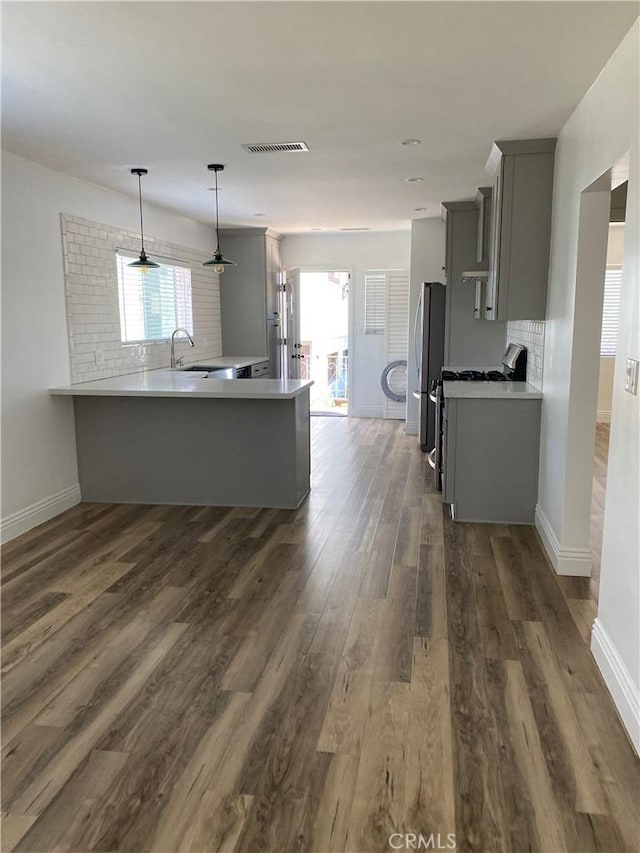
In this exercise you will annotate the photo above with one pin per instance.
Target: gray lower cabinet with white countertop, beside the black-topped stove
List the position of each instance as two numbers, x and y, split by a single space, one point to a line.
490 453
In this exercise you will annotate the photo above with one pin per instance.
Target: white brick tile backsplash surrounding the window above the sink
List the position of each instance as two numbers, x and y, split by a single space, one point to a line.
92 302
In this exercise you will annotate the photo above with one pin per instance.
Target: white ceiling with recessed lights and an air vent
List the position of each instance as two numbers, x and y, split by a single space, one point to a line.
93 89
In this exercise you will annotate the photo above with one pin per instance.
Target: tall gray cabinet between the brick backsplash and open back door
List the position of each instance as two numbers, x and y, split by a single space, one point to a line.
249 291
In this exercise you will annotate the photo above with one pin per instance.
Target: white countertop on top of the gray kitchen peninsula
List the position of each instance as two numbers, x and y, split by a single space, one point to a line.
177 383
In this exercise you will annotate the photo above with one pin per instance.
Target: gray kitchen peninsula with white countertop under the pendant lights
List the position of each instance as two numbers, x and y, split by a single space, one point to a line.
169 437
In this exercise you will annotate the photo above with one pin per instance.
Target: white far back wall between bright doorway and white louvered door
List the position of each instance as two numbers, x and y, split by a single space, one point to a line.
357 253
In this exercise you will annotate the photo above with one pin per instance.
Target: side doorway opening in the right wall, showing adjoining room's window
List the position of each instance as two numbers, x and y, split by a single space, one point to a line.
594 392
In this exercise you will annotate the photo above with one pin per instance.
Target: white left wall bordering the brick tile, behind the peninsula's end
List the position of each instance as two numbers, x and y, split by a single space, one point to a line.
39 474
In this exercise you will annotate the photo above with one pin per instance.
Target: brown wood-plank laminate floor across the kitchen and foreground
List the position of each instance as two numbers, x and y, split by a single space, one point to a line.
206 679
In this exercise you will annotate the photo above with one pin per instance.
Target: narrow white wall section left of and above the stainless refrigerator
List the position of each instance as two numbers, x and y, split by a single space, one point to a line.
427 262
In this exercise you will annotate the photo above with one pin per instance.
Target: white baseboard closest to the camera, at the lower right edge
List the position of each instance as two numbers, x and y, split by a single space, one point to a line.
625 694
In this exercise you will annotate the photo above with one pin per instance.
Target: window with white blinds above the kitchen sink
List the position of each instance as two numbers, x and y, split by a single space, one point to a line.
153 303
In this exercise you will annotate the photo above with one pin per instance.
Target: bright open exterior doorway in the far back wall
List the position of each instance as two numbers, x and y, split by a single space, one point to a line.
324 339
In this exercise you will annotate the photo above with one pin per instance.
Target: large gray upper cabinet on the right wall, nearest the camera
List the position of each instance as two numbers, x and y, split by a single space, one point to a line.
520 229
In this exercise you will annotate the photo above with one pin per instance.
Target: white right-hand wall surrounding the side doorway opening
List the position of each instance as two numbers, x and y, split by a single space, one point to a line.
602 129
